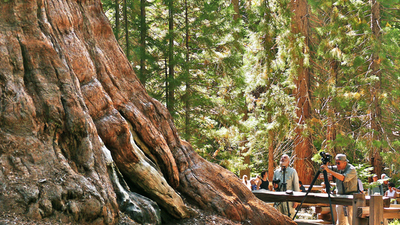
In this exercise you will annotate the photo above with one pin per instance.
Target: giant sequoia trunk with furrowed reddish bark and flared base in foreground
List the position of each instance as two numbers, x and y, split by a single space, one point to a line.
79 134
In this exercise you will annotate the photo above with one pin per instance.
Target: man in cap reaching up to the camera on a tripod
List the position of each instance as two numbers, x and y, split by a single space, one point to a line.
346 184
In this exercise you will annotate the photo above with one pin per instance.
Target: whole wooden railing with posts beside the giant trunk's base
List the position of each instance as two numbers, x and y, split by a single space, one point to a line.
367 210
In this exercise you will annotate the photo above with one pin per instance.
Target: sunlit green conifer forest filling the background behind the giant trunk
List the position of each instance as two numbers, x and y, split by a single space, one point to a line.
246 81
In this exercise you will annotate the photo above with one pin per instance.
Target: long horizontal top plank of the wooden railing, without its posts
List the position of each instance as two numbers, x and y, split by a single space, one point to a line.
314 198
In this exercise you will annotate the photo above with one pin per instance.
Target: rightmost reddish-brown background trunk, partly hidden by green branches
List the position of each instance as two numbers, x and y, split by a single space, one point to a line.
375 89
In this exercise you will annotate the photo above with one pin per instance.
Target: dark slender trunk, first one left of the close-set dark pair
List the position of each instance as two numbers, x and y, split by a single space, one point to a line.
143 34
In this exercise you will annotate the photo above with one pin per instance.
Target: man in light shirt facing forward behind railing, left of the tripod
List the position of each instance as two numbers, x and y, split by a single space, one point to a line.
292 183
